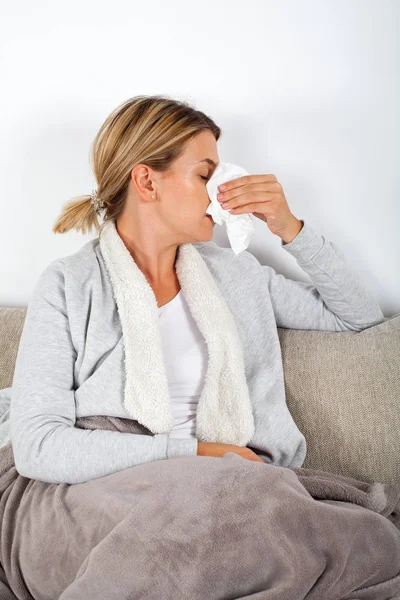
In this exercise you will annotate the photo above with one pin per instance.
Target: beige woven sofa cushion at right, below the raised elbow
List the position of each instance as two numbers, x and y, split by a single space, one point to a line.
343 391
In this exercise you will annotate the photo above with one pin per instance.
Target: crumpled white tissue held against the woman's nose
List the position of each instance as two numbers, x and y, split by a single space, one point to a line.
239 227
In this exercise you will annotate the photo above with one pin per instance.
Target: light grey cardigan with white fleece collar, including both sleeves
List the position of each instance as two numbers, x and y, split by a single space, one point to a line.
90 345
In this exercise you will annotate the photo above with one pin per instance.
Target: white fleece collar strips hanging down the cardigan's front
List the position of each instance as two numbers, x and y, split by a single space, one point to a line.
224 412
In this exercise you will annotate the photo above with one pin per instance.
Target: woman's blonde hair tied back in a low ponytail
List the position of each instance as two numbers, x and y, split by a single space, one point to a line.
144 129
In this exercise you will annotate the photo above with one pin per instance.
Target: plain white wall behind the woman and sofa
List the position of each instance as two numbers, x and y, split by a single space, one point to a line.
307 90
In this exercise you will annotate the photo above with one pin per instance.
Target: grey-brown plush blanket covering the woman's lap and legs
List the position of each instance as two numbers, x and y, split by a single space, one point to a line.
198 528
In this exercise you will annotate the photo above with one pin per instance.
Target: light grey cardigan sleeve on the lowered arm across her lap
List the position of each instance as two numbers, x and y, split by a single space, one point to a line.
46 444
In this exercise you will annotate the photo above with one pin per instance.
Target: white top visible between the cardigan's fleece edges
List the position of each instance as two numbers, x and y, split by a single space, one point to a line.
186 359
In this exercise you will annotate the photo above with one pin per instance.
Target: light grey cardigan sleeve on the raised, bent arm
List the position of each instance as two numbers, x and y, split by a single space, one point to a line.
336 300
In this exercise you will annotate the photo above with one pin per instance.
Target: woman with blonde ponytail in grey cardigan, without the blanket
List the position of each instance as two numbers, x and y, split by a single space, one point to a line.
154 322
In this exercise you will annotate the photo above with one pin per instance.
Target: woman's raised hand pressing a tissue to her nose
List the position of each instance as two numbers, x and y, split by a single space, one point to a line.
263 196
